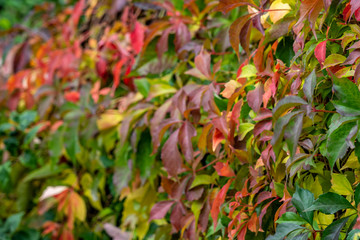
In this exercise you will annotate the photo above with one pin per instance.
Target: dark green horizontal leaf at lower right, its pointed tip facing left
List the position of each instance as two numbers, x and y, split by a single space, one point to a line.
330 203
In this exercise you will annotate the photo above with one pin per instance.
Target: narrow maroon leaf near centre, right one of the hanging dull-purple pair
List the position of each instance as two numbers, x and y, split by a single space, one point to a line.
186 133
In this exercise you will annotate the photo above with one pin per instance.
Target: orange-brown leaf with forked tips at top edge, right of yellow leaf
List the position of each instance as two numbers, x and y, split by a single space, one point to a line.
309 9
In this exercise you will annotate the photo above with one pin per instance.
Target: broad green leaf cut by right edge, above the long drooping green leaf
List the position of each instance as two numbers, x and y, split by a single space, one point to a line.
348 94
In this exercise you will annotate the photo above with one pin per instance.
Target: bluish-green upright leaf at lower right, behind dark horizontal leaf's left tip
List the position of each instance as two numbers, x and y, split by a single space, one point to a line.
303 199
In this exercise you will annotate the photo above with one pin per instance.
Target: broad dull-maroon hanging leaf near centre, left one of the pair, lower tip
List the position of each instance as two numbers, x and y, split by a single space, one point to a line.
170 155
